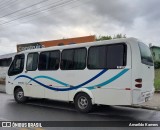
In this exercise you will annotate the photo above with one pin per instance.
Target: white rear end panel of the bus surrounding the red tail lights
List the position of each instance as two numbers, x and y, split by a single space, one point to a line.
144 72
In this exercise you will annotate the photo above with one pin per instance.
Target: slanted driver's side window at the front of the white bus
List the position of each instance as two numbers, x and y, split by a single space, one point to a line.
17 65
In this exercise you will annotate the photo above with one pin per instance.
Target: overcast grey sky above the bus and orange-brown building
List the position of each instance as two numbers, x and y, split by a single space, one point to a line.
57 19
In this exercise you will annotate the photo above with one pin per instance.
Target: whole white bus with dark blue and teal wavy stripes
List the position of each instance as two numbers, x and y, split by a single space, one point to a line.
111 72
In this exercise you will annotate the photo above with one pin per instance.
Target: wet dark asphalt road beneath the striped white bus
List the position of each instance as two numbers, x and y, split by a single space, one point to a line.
47 110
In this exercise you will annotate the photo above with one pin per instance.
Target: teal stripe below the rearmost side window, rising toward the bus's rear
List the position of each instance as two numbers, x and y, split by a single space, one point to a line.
108 81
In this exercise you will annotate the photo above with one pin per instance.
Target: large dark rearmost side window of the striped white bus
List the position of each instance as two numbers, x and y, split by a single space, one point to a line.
107 56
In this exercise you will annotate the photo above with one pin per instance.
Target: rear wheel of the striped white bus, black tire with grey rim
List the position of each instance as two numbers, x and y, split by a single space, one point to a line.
83 102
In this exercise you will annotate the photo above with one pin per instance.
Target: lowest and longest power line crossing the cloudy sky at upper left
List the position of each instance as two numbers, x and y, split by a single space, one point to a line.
53 6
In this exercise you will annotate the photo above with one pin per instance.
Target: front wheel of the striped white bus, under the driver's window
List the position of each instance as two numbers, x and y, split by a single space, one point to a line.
19 96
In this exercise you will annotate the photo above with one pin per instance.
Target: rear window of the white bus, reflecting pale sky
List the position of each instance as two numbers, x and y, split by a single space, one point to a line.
146 56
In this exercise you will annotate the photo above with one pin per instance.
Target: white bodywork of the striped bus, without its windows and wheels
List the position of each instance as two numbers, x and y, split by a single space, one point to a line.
104 86
